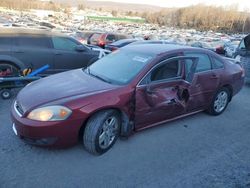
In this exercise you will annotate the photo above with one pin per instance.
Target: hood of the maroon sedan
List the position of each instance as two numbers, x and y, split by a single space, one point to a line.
59 87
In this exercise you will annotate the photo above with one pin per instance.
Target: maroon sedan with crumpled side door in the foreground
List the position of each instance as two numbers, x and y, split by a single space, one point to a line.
137 87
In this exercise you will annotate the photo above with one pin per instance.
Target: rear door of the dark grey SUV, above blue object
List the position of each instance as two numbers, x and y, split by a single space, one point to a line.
34 52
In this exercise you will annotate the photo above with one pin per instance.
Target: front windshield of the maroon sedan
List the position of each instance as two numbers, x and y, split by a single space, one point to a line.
119 67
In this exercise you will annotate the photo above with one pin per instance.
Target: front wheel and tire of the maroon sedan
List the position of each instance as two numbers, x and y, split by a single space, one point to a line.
101 131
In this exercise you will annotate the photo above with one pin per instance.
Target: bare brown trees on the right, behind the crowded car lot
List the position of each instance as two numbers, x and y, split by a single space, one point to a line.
203 18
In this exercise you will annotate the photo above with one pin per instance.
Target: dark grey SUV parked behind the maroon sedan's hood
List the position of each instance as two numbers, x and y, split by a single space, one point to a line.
25 48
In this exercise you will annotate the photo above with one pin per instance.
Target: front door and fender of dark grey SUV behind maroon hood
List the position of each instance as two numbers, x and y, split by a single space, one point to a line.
66 56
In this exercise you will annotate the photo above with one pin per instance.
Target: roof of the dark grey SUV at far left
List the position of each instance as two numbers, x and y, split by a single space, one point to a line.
27 31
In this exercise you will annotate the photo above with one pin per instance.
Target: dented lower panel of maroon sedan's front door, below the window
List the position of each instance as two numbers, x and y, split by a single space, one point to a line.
159 102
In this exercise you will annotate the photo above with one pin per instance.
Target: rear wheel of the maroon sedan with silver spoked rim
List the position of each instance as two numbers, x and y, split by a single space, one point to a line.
220 102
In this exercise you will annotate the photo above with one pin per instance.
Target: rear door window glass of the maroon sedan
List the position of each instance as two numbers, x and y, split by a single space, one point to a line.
204 63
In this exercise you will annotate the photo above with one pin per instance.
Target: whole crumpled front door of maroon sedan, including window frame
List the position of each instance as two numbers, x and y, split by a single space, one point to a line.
164 92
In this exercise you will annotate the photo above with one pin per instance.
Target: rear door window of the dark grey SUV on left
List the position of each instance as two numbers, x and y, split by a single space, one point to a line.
33 41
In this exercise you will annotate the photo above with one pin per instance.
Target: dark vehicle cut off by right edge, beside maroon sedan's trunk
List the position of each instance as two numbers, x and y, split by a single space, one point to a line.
242 56
